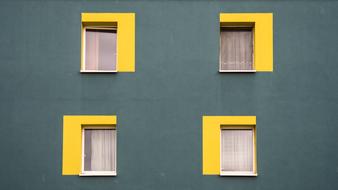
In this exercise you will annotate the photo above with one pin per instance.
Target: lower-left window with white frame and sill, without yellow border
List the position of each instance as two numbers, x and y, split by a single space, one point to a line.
98 150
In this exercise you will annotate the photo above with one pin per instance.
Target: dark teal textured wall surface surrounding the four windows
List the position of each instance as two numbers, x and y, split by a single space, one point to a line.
160 106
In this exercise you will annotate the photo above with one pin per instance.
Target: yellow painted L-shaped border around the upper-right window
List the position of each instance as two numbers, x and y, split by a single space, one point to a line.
263 35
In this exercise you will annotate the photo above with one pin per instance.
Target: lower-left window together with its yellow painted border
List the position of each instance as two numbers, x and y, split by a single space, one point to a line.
83 135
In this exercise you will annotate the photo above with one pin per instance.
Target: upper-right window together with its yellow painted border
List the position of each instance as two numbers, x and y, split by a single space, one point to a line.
246 42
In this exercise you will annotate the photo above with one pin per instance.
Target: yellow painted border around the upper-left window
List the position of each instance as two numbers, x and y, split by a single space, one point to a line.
125 23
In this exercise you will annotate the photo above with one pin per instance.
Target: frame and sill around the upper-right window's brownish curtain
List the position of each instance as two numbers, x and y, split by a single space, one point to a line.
253 50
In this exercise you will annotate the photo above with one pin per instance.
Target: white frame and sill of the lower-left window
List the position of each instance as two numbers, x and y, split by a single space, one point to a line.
97 173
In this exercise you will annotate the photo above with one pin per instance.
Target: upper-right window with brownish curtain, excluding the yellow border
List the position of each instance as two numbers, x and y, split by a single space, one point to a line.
236 51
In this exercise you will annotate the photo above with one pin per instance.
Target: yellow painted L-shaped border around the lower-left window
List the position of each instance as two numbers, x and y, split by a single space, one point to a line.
72 147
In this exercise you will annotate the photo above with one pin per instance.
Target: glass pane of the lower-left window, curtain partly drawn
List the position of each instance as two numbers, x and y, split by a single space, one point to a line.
99 150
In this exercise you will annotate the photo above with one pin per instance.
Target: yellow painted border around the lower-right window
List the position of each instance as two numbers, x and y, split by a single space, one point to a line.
211 129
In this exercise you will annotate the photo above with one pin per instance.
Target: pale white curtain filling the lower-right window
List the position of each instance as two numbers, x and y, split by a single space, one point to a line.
237 150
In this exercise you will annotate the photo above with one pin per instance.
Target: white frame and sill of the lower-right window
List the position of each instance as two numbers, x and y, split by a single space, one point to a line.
254 156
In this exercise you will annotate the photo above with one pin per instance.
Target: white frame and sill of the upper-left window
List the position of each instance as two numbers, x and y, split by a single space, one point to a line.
83 66
